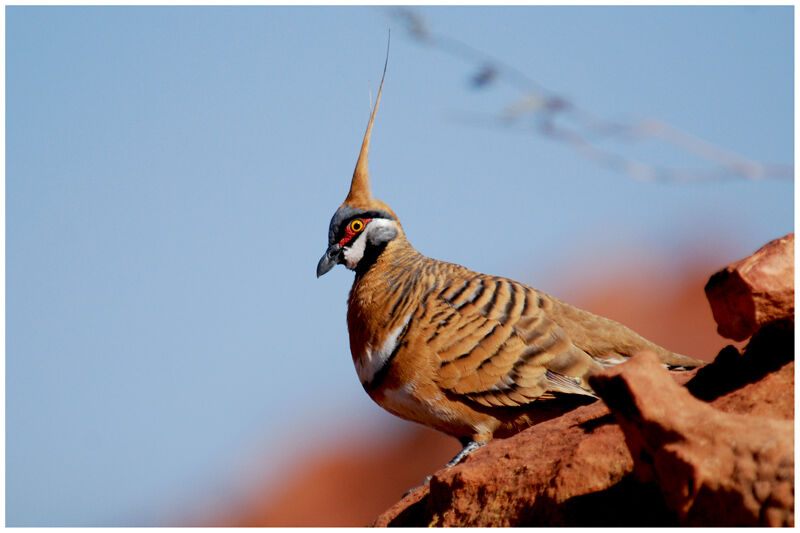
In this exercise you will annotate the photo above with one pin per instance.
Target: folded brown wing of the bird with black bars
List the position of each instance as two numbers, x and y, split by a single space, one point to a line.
497 346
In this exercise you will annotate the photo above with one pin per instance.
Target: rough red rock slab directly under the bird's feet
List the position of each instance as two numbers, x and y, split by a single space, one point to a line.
558 473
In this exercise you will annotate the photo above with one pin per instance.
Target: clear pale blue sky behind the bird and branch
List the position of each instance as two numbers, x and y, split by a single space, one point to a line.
170 175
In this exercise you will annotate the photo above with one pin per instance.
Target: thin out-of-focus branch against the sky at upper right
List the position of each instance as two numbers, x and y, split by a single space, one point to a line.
555 117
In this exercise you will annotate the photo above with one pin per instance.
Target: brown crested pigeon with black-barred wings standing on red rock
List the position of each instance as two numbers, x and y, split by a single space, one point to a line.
472 355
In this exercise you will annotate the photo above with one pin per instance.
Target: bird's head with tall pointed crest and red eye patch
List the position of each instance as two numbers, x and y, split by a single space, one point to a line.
362 226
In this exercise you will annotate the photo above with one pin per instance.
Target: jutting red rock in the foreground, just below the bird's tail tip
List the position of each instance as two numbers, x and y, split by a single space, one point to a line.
713 468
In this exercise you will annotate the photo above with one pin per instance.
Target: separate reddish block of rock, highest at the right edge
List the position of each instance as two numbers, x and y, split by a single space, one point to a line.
754 291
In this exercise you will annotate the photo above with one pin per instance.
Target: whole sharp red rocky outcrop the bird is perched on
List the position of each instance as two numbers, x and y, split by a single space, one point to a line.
716 452
